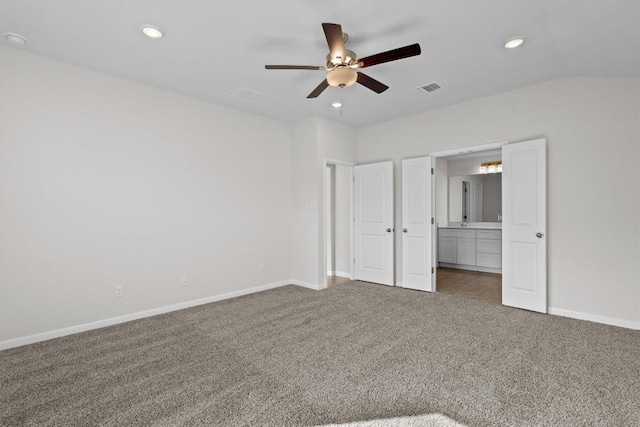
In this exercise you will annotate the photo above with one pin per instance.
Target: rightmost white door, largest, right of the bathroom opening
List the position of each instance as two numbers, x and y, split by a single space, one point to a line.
524 225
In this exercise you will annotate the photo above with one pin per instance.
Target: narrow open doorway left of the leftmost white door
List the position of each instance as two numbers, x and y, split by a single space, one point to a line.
338 178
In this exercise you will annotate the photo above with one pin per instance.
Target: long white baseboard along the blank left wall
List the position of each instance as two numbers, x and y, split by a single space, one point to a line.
44 336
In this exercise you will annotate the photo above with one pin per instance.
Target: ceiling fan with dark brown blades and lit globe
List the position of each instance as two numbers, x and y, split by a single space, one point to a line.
343 63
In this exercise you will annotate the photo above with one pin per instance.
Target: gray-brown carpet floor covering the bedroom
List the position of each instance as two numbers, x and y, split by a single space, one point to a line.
353 353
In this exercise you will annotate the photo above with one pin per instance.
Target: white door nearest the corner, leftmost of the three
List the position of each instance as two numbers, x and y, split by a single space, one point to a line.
373 228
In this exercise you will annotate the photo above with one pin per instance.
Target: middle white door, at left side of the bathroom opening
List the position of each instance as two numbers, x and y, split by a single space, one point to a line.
416 224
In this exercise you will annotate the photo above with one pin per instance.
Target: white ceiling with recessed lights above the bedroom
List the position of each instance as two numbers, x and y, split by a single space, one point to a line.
213 47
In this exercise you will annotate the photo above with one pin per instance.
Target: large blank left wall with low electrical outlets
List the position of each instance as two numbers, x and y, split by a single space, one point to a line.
106 182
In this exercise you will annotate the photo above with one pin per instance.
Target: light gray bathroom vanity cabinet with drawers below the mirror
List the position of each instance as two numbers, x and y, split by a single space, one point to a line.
470 249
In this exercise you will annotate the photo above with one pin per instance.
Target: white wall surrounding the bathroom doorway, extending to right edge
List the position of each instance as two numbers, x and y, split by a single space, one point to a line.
593 137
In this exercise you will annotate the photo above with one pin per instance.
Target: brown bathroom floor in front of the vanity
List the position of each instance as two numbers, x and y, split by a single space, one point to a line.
470 284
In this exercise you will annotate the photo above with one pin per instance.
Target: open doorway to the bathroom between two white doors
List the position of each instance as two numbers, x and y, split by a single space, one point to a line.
469 233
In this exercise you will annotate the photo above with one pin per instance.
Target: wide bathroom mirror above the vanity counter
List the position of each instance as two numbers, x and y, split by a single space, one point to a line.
475 198
